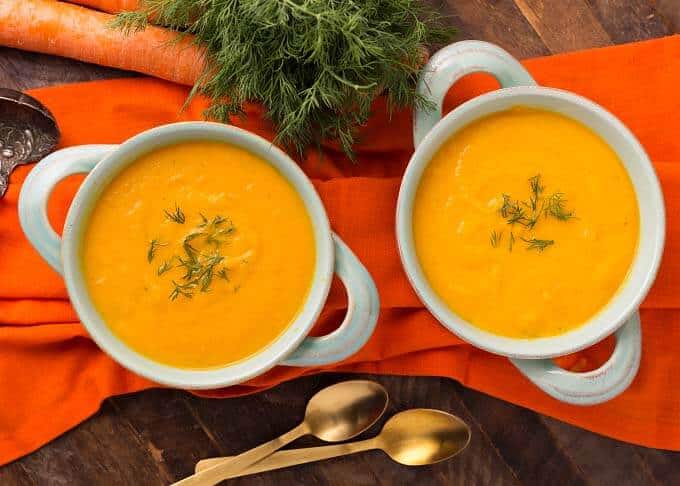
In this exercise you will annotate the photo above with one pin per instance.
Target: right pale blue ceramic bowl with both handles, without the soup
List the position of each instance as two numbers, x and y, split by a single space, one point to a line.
620 315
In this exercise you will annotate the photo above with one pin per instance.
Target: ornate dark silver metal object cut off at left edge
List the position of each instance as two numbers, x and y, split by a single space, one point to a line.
28 132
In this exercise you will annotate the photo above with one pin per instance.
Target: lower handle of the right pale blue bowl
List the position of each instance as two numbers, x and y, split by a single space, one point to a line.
591 387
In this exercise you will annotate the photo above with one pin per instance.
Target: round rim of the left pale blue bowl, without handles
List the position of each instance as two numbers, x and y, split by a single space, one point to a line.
233 373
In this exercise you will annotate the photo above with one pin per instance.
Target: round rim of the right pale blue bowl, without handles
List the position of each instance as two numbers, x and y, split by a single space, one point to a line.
596 328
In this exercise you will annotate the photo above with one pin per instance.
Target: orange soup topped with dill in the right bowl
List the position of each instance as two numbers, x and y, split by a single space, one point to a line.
525 223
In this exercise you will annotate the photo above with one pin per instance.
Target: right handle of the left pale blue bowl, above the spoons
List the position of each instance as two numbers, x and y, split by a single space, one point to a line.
363 308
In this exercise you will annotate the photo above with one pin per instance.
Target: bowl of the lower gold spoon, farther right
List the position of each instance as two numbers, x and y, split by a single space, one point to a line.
423 436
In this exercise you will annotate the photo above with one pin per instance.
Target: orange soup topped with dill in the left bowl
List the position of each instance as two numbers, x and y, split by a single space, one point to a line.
199 254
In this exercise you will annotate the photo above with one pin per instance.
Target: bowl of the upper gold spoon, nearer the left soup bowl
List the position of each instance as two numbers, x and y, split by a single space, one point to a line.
345 410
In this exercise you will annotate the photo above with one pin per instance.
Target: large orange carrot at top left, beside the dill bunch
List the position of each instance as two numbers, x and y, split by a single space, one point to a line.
67 30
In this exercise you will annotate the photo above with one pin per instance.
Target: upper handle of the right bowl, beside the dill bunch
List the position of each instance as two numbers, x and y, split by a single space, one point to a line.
453 62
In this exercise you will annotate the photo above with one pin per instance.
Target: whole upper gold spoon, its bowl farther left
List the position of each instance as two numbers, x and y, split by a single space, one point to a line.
334 414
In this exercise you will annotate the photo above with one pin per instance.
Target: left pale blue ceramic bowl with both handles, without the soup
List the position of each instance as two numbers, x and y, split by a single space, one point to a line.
292 348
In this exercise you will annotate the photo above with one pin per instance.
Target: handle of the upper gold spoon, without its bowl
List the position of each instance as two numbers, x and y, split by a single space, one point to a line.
227 468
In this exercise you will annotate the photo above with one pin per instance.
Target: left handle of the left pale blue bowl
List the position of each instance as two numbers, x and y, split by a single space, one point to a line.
37 188
